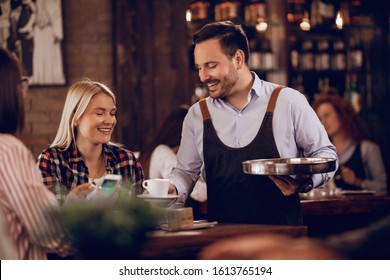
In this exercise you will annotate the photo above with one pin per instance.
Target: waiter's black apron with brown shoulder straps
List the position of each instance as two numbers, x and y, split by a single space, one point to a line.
236 197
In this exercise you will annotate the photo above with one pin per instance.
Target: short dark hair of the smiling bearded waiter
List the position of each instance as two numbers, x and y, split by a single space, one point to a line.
231 37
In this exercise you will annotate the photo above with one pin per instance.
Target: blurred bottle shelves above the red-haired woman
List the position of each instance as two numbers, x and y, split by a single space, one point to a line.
333 46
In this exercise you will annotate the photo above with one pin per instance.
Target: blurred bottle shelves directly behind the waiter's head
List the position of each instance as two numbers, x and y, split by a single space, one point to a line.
257 21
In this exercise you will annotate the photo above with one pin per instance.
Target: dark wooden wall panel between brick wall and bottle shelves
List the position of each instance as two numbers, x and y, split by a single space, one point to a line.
152 69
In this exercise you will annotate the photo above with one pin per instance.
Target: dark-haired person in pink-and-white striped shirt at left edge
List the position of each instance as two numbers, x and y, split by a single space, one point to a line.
25 203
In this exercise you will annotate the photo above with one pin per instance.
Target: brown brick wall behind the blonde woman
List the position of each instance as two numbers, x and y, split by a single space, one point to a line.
88 52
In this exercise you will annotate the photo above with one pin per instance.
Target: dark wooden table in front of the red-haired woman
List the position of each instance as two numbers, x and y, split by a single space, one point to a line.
332 215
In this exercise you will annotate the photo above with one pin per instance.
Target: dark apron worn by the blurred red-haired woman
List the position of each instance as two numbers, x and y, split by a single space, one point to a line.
356 164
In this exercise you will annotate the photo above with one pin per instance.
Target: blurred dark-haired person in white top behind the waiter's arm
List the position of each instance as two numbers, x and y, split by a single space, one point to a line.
159 156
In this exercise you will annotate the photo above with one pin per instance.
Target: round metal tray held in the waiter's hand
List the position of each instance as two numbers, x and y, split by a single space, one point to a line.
289 166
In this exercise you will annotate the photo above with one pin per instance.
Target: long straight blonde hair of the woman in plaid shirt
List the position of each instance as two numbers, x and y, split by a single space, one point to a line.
78 97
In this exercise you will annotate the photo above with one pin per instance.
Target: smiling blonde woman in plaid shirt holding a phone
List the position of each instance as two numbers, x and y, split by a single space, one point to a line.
82 152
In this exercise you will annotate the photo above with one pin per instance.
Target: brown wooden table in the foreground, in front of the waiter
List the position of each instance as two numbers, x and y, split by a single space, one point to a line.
187 244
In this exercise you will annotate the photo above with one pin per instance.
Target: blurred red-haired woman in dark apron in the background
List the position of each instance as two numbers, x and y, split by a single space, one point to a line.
361 164
